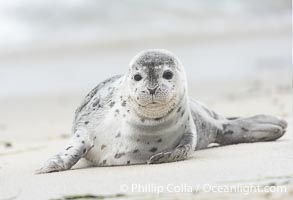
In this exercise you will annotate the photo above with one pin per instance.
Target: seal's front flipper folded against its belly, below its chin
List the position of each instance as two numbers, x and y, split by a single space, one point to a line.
181 152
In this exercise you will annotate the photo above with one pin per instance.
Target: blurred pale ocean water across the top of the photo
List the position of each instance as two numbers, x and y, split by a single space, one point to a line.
30 23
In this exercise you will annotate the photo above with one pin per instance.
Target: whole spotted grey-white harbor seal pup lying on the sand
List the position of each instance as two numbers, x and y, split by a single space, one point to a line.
146 116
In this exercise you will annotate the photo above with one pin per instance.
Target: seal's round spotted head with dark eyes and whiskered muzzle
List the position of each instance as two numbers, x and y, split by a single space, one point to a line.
156 83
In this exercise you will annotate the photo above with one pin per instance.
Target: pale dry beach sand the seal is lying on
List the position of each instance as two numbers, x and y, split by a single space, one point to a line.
33 129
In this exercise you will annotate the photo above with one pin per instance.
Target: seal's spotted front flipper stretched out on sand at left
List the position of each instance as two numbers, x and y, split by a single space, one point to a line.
67 158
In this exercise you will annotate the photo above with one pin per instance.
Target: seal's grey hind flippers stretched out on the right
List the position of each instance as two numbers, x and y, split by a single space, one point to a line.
252 129
